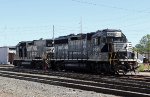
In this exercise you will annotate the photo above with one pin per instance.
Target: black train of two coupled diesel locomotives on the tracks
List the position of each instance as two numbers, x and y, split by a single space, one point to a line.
104 51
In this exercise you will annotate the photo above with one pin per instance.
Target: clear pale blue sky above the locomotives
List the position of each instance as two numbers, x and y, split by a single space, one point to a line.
27 20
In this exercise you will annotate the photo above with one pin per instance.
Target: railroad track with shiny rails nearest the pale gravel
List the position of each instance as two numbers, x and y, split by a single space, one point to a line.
108 87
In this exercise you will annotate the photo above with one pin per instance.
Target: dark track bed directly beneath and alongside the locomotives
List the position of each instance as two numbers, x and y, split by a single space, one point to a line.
132 78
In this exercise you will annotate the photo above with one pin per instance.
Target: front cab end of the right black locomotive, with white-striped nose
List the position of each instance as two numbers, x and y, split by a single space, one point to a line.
112 49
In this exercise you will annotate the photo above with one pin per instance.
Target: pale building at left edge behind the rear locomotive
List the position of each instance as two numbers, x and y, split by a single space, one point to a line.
7 55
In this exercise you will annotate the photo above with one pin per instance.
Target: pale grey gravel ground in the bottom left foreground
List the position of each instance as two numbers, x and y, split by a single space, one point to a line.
10 87
